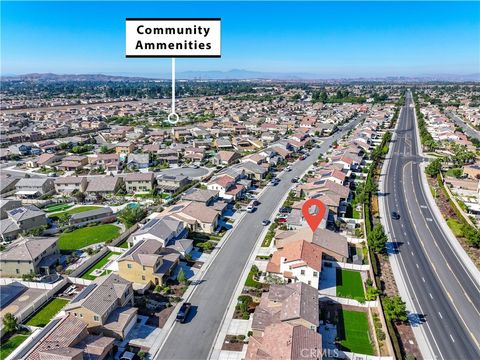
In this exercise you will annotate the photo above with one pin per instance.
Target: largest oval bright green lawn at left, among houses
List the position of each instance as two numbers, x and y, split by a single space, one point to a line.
87 236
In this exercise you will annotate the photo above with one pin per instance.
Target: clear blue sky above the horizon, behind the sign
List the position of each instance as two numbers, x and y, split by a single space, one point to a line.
335 39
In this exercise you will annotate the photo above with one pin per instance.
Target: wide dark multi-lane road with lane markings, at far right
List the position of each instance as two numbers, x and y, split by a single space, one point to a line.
440 287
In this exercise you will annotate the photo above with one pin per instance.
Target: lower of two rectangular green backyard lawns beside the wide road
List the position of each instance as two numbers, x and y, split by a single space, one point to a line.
352 330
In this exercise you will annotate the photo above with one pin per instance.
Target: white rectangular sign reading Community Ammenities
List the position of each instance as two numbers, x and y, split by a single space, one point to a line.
173 38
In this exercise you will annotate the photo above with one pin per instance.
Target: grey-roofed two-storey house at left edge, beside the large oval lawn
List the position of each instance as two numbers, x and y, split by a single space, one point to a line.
35 255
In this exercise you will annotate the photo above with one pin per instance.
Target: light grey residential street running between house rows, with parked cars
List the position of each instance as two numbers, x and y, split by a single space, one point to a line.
195 339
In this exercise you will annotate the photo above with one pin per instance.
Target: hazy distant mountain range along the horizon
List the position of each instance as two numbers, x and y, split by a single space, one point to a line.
237 74
